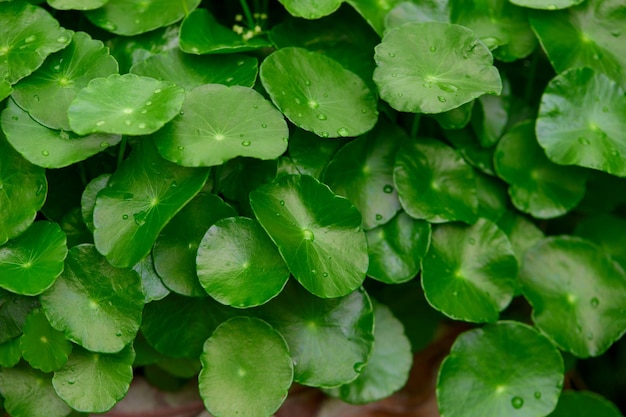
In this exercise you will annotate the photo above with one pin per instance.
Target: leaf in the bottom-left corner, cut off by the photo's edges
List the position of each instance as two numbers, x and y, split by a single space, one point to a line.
29 393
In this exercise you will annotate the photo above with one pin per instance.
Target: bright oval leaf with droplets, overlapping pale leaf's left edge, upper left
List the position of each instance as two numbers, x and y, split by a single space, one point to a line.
125 104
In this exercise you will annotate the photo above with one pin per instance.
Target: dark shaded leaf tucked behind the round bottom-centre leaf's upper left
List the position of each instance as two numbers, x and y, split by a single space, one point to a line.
177 326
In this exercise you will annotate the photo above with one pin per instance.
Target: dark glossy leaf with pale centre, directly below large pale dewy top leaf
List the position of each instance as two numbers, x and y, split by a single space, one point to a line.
434 183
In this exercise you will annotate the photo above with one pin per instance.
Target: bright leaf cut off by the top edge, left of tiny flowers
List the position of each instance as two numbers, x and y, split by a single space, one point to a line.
132 17
